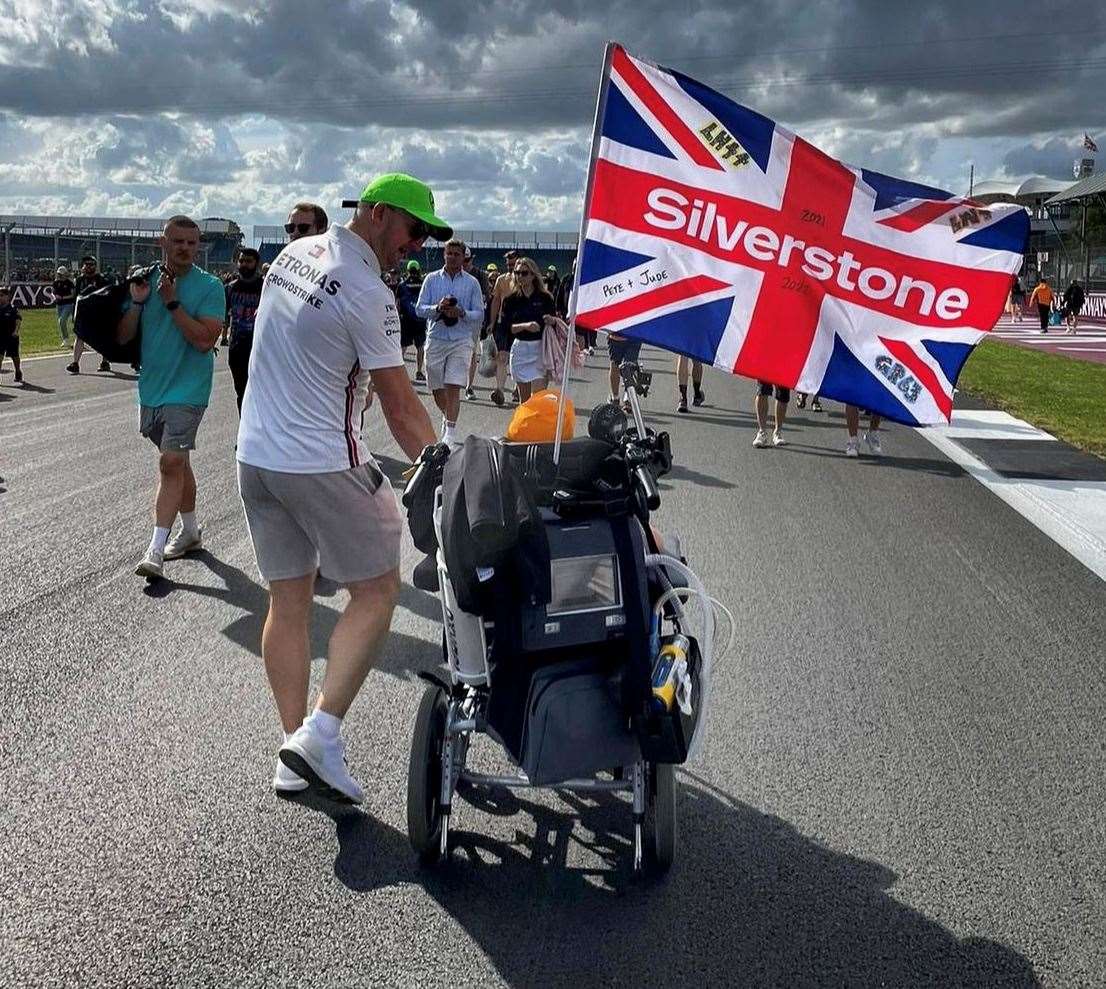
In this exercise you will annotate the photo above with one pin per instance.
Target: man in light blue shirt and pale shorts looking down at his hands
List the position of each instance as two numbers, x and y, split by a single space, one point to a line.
453 305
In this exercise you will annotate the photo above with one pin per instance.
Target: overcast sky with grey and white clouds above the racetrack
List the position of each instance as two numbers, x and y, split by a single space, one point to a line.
145 108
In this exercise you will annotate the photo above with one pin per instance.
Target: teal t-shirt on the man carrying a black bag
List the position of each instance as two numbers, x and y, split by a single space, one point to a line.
173 371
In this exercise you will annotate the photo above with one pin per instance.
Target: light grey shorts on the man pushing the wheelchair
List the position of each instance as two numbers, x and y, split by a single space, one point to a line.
346 524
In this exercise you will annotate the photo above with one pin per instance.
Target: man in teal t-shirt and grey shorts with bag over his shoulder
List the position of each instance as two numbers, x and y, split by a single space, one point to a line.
181 313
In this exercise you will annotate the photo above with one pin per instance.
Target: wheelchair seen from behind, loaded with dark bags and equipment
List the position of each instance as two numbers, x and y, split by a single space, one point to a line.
597 685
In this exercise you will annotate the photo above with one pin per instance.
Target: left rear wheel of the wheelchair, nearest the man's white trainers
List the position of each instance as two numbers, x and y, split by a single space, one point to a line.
424 777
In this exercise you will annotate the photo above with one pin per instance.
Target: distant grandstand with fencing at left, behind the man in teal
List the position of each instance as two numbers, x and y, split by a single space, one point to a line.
35 246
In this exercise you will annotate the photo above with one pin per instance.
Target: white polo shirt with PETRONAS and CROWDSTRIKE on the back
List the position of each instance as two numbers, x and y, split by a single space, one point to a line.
325 321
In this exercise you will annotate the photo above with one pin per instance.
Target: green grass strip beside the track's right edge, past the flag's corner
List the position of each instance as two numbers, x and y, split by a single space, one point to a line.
1061 395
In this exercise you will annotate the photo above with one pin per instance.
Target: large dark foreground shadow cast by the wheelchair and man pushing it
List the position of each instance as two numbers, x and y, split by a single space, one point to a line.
749 902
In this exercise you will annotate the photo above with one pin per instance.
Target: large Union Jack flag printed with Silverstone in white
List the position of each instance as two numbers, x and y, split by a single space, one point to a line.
713 232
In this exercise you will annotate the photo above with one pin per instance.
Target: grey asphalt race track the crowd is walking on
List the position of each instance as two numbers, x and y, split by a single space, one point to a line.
903 784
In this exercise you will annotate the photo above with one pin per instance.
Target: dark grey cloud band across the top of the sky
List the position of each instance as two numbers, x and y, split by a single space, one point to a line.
494 65
